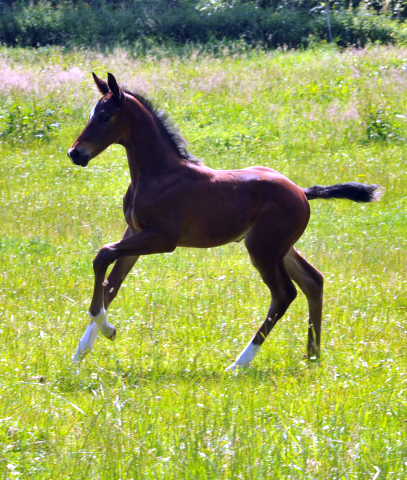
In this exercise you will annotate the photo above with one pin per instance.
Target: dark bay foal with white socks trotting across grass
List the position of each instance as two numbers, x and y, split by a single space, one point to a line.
174 201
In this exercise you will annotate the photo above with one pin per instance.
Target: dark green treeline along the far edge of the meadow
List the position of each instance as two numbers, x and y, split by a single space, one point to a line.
270 23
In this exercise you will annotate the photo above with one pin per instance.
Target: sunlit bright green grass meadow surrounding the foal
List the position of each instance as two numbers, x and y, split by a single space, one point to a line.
157 404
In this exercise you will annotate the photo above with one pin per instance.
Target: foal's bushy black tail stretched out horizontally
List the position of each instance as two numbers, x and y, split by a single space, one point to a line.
358 192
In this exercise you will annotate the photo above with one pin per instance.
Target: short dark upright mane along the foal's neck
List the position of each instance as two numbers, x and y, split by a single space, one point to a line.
166 126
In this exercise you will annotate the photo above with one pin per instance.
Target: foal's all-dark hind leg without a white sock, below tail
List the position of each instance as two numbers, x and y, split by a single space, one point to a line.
311 282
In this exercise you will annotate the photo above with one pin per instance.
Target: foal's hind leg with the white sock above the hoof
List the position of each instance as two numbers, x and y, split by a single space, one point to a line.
268 257
